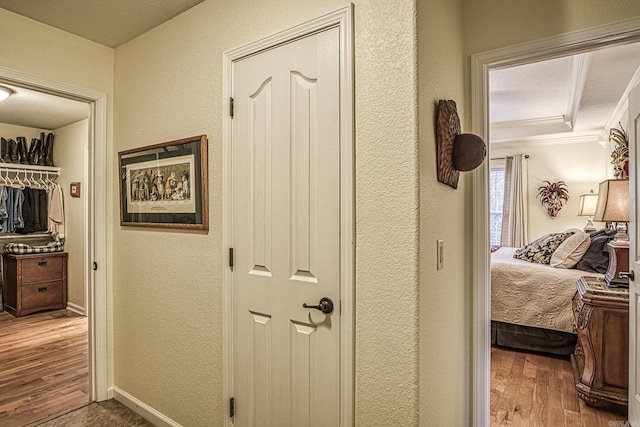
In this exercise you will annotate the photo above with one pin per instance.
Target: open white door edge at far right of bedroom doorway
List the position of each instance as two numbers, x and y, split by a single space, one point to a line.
634 285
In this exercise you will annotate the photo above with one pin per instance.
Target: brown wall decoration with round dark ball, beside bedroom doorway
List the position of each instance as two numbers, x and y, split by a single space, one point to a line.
456 152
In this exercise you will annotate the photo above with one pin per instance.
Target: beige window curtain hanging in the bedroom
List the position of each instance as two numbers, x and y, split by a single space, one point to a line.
514 208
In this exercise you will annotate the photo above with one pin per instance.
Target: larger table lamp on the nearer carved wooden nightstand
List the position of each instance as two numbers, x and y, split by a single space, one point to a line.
613 207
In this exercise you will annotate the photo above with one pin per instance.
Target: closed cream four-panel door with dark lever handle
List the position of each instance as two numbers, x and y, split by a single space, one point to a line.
286 234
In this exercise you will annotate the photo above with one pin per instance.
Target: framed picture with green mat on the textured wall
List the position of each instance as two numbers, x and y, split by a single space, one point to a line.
165 185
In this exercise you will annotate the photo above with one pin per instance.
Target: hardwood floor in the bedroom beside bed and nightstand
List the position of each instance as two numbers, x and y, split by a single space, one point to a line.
536 390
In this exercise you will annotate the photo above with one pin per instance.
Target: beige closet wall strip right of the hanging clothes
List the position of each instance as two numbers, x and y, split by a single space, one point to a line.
69 152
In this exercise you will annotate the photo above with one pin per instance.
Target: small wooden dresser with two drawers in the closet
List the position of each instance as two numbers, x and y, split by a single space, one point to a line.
33 283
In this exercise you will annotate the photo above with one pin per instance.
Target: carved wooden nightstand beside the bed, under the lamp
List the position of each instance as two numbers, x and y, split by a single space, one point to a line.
601 358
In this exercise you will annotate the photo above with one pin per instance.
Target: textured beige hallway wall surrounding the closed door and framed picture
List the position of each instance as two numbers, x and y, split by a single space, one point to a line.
167 284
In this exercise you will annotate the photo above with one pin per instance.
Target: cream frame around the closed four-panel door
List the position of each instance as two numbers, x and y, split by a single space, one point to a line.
342 19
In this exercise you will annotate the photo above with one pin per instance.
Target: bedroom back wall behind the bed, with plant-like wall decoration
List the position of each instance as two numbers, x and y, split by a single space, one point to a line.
582 166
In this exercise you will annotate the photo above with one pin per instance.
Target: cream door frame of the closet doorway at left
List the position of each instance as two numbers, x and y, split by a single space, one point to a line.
95 231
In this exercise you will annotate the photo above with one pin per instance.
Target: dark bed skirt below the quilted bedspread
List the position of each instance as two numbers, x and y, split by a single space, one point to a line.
532 339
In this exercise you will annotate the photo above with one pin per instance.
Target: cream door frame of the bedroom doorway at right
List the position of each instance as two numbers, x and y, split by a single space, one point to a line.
538 50
